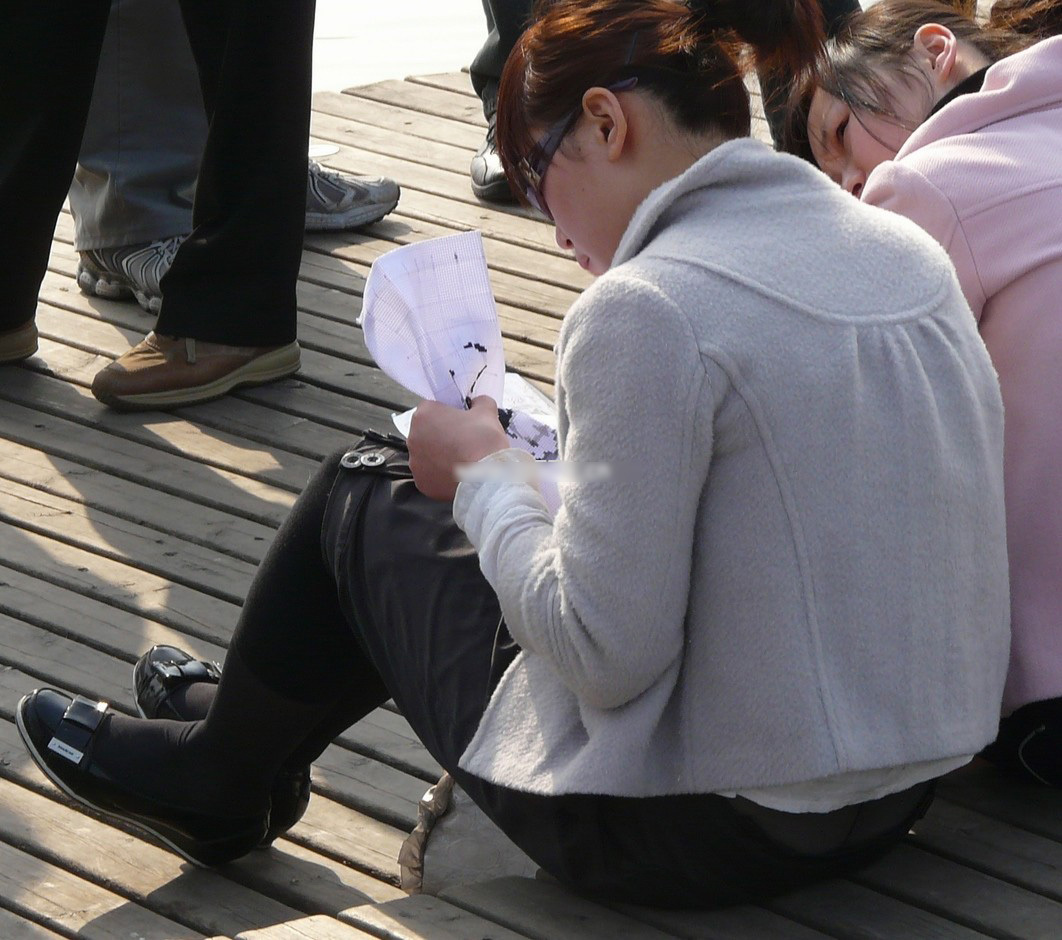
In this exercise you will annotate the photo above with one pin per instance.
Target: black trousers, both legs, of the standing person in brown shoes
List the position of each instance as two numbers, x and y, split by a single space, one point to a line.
234 282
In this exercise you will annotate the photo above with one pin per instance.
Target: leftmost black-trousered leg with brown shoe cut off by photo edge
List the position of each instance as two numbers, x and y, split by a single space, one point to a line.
49 52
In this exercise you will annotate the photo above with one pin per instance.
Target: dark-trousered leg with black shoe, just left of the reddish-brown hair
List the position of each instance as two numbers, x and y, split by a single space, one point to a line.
506 20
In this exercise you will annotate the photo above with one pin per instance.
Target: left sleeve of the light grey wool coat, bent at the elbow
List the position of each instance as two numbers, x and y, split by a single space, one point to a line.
601 592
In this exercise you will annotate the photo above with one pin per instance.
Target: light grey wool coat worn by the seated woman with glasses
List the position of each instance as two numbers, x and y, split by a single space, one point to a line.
798 568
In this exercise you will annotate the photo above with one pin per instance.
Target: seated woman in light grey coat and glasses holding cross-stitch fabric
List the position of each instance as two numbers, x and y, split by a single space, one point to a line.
734 666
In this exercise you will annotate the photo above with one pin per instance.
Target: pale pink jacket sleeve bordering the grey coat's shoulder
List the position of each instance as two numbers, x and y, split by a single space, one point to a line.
904 191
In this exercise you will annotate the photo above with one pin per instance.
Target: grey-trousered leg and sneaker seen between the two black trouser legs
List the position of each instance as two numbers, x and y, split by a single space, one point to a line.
132 195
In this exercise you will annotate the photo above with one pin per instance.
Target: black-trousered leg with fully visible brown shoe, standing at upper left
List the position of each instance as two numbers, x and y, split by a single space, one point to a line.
229 315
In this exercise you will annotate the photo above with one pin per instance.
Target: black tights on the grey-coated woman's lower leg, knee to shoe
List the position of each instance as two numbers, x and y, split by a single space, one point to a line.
295 672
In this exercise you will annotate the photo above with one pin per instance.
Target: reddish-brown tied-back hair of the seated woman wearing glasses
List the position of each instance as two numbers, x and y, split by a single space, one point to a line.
690 57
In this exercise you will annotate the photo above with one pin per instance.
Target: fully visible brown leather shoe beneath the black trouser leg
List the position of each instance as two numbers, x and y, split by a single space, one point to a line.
162 372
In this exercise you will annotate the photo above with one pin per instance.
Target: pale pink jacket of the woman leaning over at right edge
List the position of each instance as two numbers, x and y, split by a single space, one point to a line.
984 177
